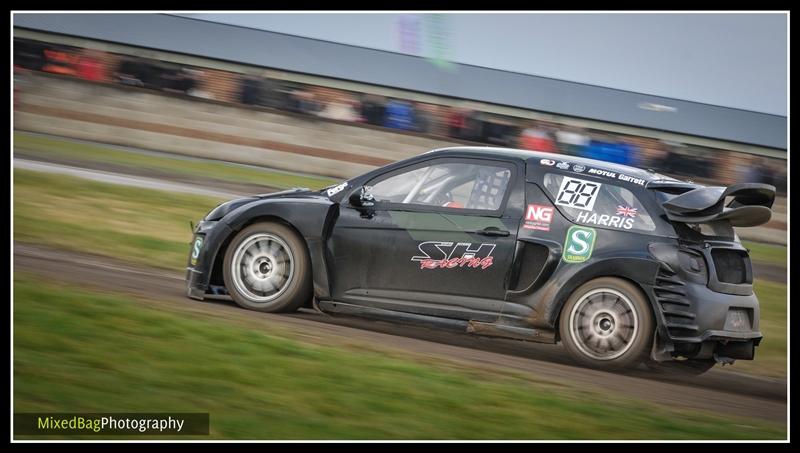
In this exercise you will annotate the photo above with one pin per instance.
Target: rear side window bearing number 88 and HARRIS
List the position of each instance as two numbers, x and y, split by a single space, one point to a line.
598 203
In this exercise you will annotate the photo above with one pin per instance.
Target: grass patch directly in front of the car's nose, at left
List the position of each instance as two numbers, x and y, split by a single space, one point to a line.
144 226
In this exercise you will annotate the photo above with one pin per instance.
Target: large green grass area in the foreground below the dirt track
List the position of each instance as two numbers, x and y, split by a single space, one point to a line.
80 351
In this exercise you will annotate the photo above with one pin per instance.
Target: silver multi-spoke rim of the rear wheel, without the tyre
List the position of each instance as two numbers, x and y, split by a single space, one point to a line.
603 324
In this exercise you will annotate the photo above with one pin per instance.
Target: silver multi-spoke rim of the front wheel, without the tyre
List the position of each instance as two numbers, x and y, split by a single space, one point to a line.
262 267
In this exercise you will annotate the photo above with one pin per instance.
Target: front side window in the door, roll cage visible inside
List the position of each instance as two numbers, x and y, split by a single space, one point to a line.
454 185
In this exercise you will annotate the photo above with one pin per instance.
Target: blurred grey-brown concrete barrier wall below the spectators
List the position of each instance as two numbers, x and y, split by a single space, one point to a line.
133 117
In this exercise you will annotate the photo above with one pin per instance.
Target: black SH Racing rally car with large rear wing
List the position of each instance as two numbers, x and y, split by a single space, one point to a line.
620 264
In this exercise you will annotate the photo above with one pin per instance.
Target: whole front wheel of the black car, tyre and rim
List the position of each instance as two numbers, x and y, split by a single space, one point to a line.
293 264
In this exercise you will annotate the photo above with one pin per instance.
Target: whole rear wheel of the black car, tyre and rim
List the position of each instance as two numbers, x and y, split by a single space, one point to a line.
597 323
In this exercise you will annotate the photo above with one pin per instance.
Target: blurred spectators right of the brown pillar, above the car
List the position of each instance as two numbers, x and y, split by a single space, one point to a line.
471 125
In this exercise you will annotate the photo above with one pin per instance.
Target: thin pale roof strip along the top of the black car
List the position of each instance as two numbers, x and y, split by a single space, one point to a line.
536 156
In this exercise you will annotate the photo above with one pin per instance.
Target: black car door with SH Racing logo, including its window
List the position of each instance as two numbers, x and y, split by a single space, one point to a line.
439 239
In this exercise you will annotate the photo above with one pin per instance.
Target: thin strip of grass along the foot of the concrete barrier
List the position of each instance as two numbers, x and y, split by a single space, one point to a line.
53 147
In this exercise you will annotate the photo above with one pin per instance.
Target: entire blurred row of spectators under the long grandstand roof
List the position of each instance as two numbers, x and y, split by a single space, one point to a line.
463 122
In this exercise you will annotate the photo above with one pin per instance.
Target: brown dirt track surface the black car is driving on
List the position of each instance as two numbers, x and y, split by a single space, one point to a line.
722 391
